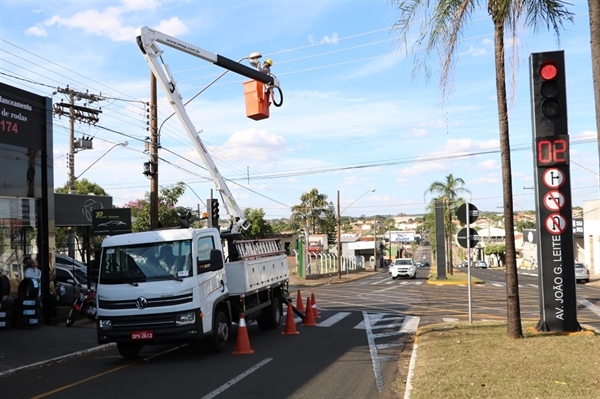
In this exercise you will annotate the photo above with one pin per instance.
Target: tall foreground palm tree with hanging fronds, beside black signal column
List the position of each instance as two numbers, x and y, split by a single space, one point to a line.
441 26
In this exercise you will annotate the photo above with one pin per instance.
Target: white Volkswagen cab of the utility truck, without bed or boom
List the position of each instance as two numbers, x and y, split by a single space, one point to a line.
171 280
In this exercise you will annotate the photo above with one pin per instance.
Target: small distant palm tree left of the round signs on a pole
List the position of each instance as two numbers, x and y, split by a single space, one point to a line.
448 191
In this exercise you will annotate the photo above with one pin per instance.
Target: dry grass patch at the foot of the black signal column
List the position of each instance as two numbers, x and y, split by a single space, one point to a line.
461 360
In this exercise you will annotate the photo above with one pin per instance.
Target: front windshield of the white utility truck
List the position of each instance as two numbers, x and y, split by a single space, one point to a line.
146 262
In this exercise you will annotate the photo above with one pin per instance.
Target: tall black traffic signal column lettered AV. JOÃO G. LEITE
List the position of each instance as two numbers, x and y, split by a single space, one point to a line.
558 302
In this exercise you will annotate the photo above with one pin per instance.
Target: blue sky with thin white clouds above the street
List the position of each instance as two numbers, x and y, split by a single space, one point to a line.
356 115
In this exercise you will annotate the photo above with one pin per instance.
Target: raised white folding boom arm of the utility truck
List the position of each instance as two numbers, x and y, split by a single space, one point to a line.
148 39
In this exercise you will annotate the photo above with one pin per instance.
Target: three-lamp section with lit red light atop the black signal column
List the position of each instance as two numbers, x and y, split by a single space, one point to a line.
548 94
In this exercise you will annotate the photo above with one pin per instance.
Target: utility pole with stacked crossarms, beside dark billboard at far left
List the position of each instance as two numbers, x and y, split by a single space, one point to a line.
81 114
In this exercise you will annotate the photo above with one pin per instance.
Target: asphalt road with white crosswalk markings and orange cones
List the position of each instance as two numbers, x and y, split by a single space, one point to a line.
360 348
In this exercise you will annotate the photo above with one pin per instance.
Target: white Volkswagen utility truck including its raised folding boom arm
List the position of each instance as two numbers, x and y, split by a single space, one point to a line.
182 285
